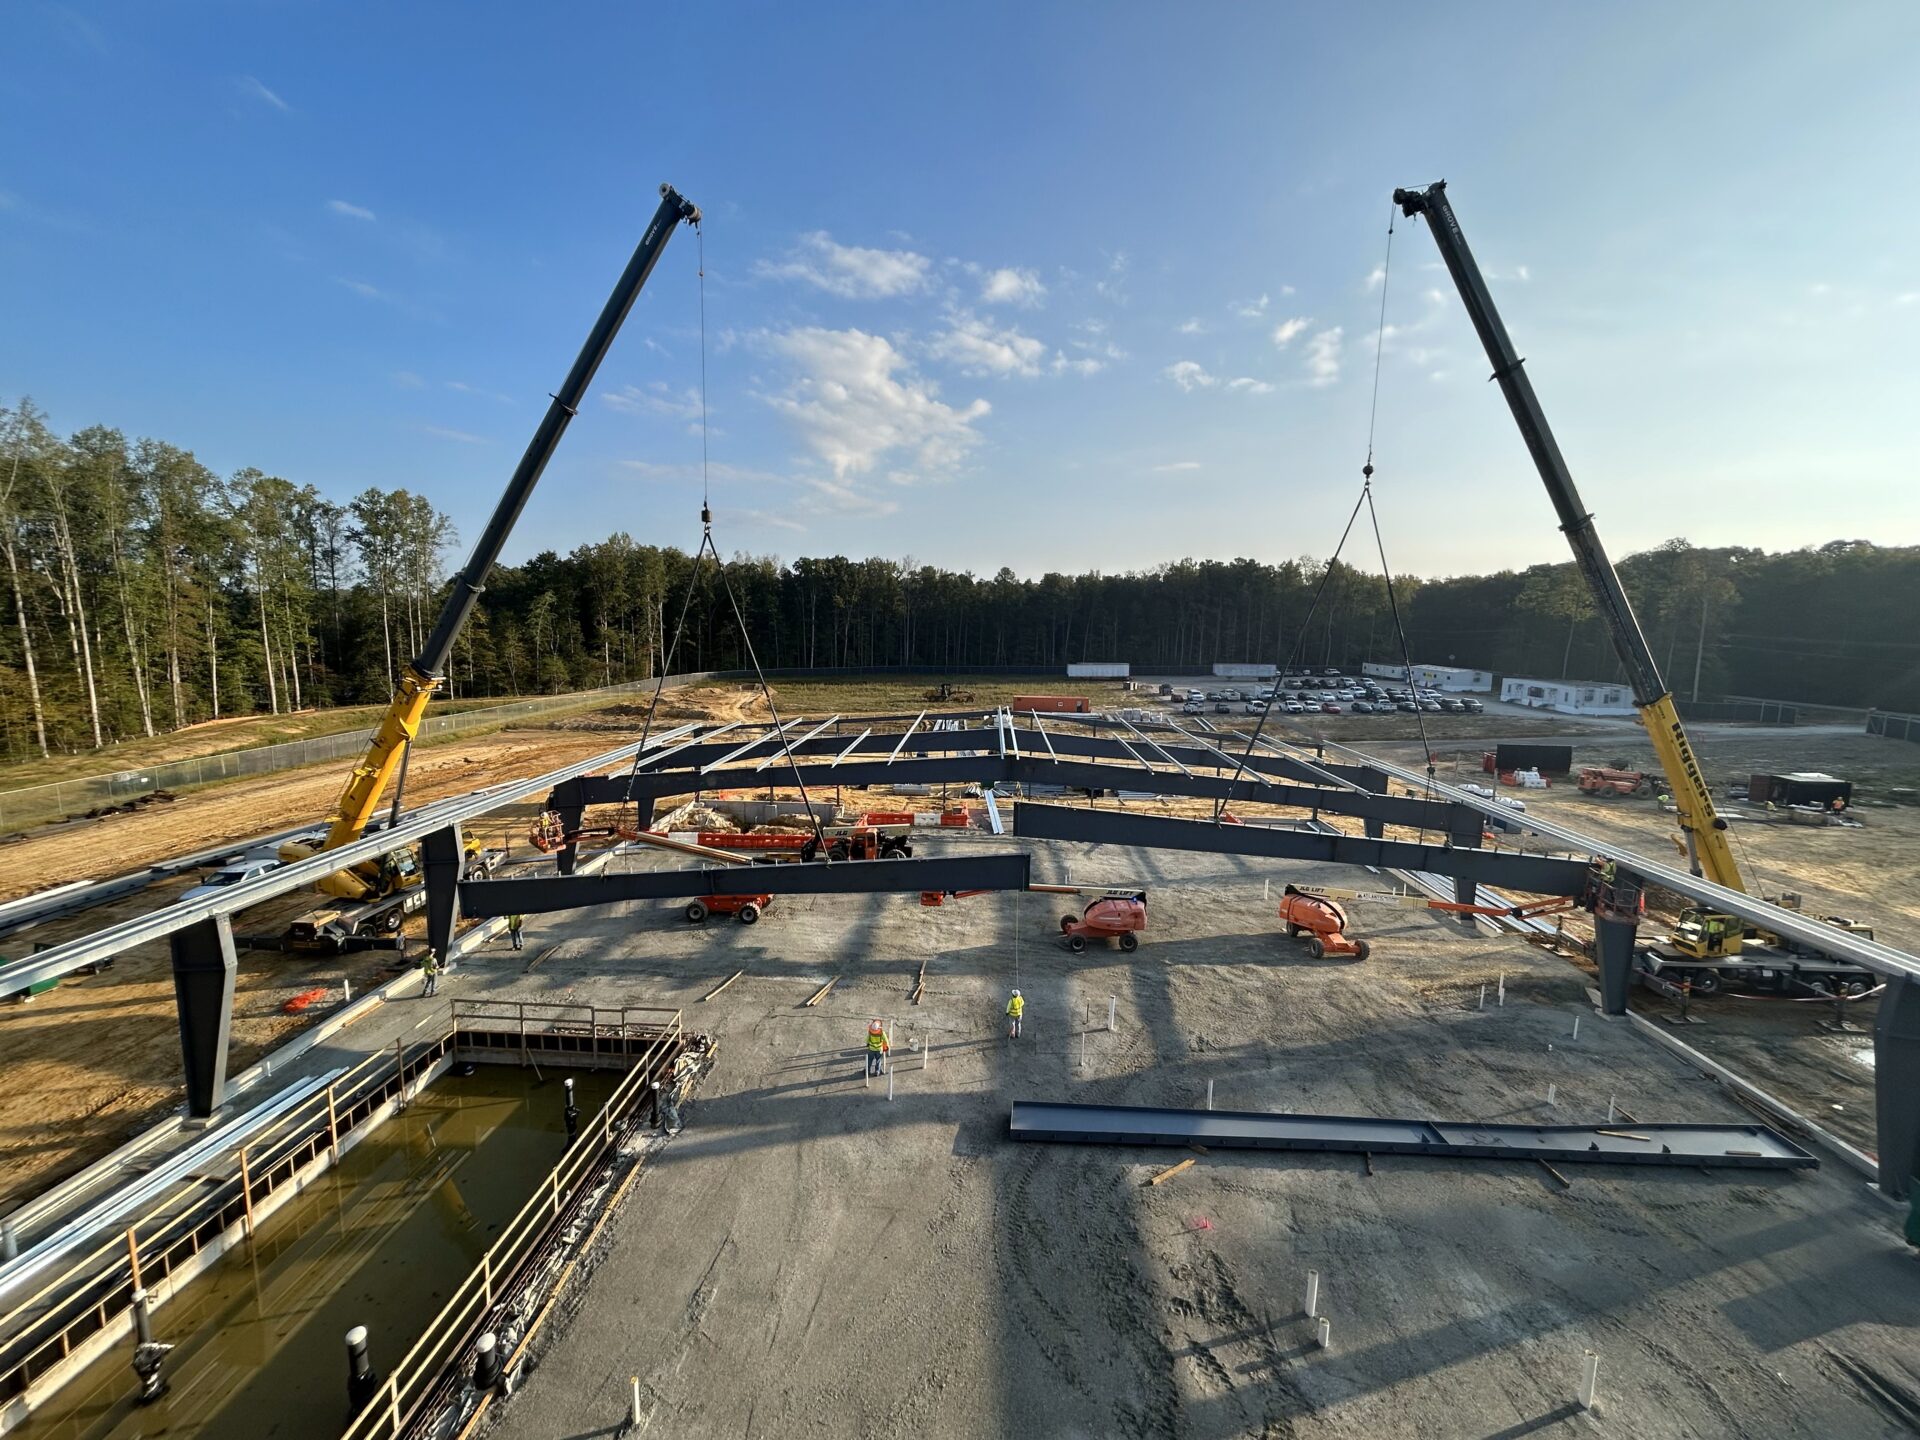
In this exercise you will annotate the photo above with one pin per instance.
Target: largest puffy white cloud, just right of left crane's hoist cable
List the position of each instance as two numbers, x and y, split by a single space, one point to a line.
857 402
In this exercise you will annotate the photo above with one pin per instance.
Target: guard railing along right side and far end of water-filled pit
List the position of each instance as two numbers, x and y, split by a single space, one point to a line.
421 1370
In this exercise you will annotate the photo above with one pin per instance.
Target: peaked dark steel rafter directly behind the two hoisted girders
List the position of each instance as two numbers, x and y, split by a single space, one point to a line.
1038 771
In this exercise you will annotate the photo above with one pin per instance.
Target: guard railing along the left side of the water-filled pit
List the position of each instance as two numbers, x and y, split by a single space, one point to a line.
97 1291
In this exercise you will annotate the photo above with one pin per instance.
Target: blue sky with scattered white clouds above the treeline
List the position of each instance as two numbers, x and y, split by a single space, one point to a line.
1034 285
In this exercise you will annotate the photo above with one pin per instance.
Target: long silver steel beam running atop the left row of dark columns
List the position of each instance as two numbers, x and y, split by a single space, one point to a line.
110 942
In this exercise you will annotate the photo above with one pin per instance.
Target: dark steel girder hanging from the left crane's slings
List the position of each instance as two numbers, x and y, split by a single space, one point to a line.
546 894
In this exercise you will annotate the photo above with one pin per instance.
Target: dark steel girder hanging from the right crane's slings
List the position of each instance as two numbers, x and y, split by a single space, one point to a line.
1535 875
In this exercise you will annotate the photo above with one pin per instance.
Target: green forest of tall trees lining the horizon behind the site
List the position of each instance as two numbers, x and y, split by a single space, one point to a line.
145 594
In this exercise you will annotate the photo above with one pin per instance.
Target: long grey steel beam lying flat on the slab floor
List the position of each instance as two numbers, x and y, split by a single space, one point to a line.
1733 1147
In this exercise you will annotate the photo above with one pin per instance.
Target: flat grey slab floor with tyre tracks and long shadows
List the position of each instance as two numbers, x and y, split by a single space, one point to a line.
811 1259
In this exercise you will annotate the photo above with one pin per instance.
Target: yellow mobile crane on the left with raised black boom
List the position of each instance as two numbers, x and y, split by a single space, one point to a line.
393 875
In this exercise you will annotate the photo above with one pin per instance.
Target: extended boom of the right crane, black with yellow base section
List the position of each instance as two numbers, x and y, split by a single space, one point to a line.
1708 846
